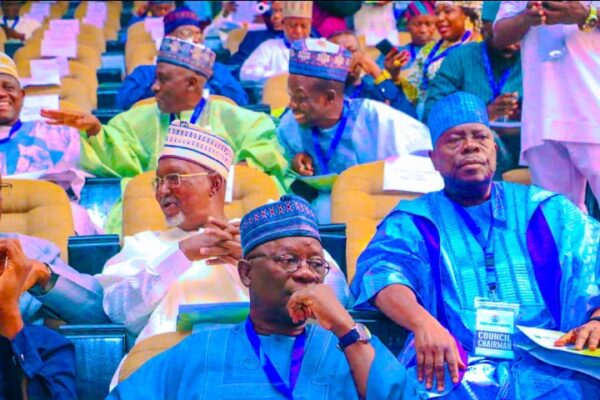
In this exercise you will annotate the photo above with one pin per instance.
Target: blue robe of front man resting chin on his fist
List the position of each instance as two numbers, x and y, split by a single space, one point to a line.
221 364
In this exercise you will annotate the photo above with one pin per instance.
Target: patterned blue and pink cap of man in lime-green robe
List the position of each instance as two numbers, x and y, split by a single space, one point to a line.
194 57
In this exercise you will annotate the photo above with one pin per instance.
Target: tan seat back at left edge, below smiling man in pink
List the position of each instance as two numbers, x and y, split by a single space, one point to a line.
40 209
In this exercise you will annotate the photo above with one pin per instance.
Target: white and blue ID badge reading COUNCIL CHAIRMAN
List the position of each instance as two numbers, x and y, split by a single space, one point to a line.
494 328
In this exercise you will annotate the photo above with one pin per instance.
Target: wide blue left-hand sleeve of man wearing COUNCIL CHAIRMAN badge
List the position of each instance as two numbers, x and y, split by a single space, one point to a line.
396 255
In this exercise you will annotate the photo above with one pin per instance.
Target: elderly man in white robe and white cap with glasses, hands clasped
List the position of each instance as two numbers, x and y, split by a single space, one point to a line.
194 261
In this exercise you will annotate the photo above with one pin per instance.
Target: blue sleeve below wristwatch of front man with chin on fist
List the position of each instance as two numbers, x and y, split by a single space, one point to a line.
387 377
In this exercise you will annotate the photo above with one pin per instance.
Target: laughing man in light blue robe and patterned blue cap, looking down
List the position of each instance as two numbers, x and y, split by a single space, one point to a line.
325 133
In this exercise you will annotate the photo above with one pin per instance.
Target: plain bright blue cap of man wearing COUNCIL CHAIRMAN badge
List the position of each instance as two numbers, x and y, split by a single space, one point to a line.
453 110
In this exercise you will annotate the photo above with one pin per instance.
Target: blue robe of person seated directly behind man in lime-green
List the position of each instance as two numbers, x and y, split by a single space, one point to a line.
138 86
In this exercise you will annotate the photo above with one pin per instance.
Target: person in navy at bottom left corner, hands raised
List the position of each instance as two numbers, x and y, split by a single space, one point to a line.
35 362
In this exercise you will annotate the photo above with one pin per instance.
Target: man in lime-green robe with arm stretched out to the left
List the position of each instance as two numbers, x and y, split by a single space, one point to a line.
130 143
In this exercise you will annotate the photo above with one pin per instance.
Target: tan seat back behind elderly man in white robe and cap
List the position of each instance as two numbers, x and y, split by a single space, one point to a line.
141 212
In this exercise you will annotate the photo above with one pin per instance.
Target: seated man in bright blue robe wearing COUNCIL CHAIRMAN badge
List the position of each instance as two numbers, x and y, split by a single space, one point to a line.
433 259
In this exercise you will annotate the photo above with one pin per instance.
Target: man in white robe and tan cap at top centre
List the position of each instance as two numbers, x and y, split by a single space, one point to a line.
272 57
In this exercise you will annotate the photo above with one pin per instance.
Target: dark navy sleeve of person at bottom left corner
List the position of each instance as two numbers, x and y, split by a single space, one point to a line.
48 361
